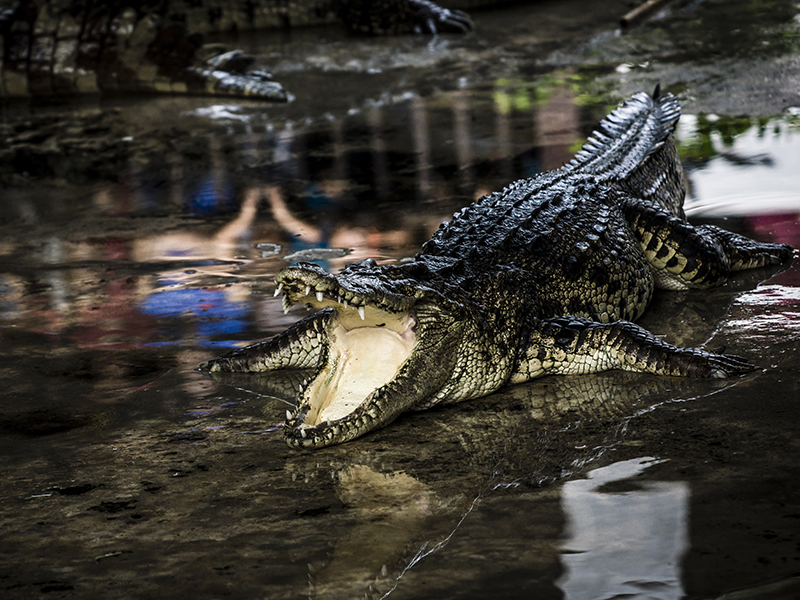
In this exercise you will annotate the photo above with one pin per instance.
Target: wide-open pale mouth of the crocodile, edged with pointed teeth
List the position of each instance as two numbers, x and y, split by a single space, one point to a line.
367 345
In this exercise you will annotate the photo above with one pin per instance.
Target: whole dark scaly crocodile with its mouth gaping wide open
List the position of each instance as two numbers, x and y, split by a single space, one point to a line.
542 278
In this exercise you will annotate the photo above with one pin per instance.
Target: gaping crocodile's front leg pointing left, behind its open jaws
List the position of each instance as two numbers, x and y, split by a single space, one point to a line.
299 347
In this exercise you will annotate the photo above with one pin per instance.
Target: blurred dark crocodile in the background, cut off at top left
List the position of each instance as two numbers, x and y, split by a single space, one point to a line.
64 47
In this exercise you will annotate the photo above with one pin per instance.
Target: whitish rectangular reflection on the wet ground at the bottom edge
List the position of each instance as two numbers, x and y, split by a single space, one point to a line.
624 538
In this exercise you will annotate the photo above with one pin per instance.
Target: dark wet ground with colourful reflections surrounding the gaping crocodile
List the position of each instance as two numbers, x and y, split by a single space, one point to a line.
139 237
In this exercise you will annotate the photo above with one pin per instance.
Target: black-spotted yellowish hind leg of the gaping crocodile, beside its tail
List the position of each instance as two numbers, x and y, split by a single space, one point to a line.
683 256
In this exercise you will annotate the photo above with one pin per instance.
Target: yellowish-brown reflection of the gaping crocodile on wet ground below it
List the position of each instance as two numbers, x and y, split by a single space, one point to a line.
406 508
